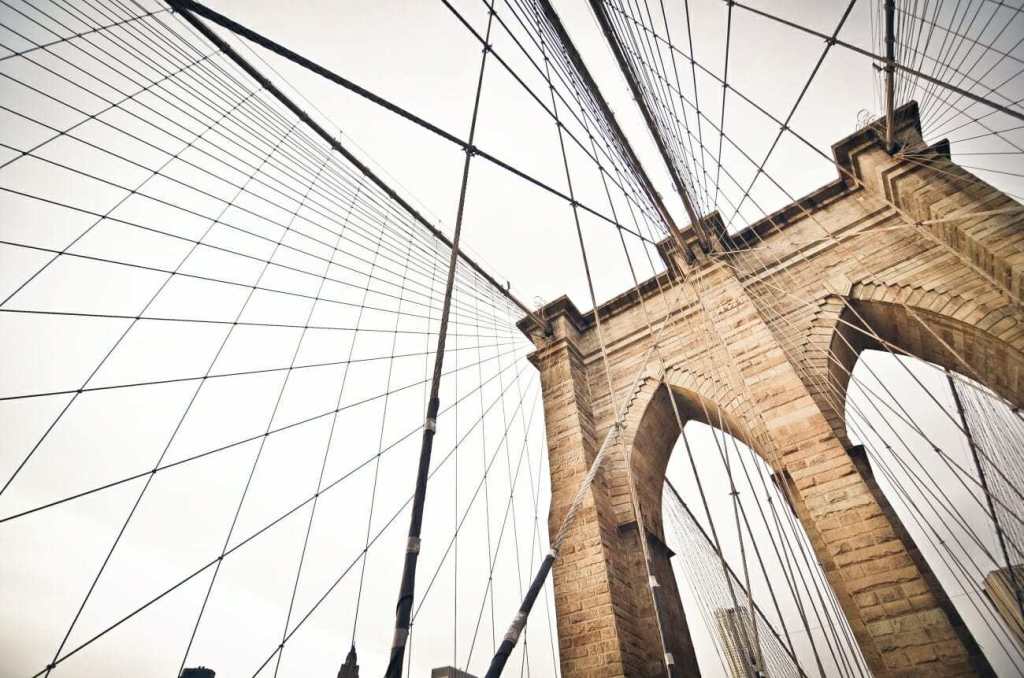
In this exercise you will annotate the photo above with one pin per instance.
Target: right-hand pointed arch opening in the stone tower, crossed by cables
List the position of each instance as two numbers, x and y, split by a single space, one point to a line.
913 419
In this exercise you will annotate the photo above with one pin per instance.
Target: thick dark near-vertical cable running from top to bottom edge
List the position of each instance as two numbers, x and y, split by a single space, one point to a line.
405 607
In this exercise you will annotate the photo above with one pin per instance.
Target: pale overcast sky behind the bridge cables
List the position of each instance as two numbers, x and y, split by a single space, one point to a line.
417 55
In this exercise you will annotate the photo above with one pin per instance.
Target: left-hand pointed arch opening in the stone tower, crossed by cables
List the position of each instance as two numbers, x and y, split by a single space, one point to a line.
770 605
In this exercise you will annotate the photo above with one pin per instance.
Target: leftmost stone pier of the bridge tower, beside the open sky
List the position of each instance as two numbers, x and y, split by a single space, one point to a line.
605 614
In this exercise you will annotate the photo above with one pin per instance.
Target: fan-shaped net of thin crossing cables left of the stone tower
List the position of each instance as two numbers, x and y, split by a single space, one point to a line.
183 201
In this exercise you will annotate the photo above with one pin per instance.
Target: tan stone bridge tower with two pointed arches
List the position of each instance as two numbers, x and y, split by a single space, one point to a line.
916 255
